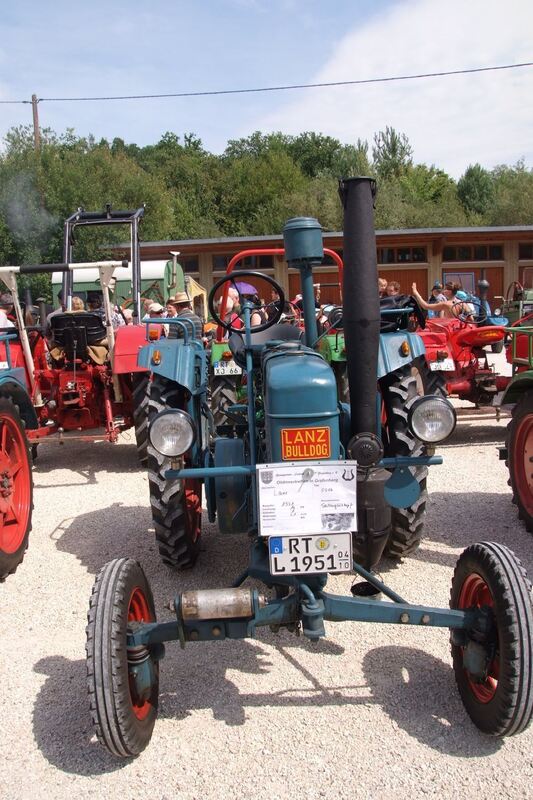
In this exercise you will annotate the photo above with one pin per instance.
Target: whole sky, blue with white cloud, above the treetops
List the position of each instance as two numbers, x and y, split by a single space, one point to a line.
58 48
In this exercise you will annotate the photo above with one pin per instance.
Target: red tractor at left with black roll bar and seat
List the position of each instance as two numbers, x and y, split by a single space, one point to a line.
81 373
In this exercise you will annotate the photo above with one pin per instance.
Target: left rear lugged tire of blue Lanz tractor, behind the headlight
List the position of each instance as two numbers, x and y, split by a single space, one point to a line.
176 505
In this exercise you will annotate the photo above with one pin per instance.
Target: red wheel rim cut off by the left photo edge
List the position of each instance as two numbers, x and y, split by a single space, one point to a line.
15 486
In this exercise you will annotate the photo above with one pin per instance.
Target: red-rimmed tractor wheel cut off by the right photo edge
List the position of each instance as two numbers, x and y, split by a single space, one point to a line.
519 454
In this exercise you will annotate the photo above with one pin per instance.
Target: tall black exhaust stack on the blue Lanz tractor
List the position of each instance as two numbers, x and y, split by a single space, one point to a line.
361 320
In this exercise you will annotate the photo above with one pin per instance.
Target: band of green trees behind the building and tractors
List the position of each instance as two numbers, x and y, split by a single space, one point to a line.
251 189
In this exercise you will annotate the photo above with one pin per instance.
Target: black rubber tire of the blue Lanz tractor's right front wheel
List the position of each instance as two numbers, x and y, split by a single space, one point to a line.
511 709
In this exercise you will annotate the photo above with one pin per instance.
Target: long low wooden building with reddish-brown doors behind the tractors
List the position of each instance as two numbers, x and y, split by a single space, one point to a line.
424 255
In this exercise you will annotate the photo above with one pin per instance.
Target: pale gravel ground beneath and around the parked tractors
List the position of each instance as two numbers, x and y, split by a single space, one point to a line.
369 711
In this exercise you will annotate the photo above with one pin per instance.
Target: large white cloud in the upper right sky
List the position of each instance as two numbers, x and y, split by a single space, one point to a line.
450 121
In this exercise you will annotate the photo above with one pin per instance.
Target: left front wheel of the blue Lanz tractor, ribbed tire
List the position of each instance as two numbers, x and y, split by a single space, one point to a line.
123 721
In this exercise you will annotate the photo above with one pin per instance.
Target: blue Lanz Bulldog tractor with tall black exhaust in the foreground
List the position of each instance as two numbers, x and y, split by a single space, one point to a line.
318 486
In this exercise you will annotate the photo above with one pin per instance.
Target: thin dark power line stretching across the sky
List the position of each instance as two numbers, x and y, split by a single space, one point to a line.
280 88
